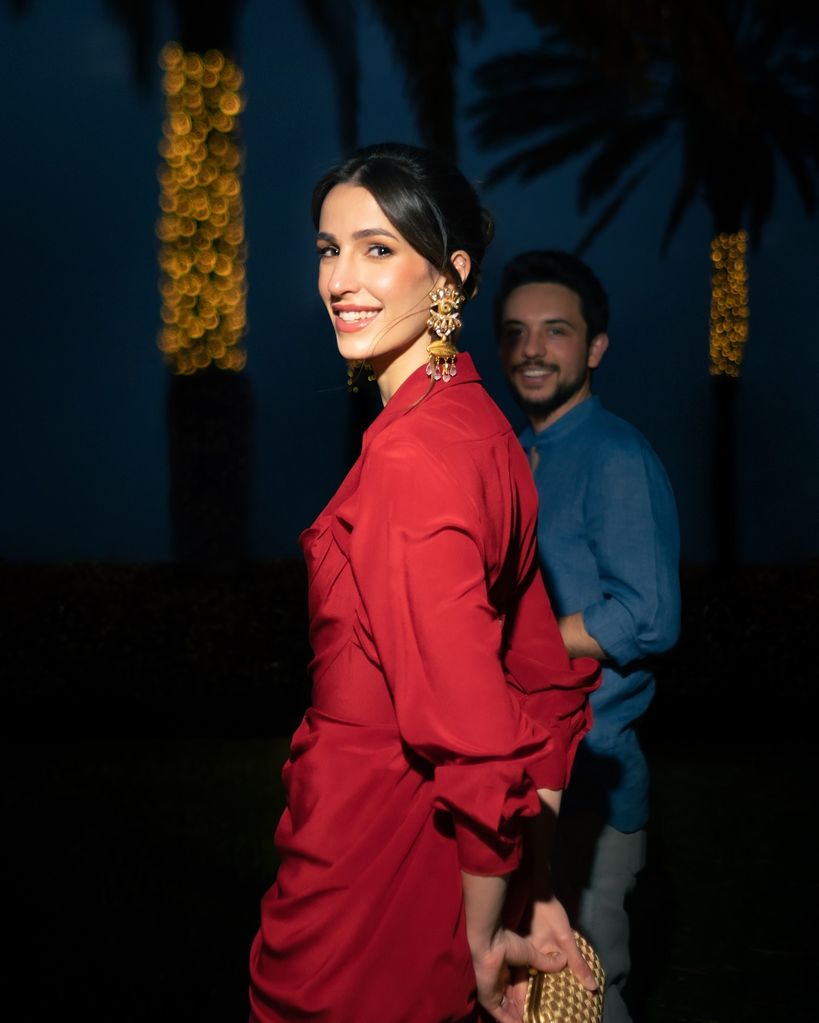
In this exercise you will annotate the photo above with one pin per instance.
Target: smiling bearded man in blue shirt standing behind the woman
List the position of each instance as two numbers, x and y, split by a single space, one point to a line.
609 544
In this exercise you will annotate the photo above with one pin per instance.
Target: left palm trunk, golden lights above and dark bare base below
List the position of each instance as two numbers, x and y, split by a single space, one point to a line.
204 308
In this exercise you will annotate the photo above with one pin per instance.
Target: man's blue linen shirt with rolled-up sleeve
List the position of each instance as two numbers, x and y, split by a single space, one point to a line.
609 541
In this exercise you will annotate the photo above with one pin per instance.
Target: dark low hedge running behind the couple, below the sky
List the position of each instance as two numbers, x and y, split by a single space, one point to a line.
170 649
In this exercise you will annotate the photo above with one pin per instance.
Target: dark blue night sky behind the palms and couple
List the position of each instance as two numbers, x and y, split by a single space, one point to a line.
84 391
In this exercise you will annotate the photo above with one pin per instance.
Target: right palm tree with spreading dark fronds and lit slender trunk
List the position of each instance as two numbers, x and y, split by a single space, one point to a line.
733 84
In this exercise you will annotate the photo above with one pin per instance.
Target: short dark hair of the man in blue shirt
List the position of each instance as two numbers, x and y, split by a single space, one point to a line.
556 268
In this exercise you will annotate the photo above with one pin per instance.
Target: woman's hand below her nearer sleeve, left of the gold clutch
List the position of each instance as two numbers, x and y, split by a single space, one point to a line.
500 973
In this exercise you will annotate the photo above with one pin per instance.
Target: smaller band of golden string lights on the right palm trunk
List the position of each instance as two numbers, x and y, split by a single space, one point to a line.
730 312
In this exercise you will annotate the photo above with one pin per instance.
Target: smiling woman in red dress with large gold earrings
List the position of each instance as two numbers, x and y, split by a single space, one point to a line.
445 709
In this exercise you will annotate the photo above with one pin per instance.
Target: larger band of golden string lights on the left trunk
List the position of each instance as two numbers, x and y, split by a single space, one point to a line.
202 228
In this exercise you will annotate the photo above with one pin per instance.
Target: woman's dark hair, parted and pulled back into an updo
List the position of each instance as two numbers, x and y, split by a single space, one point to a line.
428 199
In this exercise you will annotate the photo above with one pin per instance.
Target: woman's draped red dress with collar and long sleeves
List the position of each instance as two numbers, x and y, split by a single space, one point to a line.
443 698
